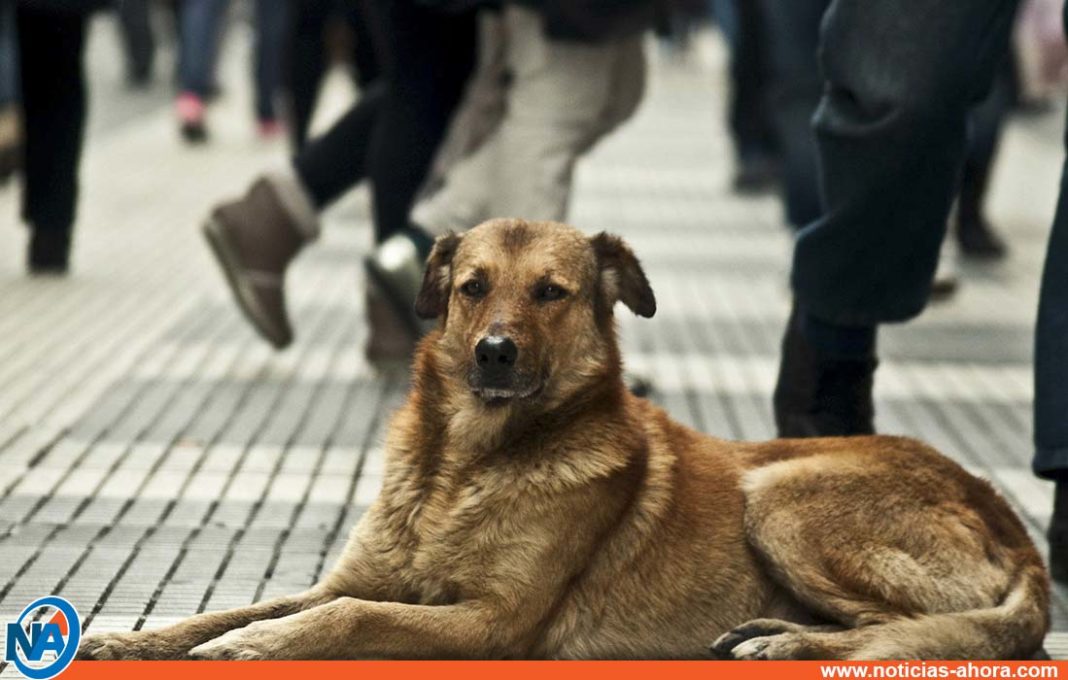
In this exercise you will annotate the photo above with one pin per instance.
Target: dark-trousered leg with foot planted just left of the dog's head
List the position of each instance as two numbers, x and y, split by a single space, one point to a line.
427 62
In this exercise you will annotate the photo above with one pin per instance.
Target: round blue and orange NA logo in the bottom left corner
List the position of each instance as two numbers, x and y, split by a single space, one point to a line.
43 641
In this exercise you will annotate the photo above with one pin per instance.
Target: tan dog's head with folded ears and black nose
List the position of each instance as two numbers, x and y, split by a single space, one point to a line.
526 310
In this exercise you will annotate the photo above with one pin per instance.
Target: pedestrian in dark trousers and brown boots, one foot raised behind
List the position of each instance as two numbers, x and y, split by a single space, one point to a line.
390 137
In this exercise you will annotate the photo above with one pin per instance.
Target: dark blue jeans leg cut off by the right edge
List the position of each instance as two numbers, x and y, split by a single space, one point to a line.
1051 349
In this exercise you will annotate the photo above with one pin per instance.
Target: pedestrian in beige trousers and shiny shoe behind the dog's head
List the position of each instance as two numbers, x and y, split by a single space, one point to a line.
576 72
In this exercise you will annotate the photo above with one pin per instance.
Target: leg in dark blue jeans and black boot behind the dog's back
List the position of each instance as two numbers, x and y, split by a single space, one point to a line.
902 76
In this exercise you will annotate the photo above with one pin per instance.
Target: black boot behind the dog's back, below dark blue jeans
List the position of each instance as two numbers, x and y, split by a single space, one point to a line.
822 397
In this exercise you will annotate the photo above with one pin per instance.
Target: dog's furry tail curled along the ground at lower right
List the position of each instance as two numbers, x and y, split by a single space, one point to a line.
1014 629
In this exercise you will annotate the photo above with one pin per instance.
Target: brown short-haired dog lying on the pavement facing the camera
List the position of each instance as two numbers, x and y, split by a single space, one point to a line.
533 509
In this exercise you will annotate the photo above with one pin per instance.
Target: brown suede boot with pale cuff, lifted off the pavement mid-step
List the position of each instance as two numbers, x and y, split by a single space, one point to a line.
255 240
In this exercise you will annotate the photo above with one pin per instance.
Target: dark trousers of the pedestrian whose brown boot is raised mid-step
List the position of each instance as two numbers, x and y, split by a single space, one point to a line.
391 135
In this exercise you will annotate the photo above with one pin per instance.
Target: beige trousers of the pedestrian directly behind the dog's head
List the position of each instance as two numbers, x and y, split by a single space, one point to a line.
563 99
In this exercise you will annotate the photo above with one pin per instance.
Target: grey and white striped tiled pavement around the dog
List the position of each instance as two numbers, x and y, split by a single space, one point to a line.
156 460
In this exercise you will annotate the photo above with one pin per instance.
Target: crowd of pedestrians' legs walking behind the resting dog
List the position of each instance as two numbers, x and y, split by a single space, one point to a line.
877 122
